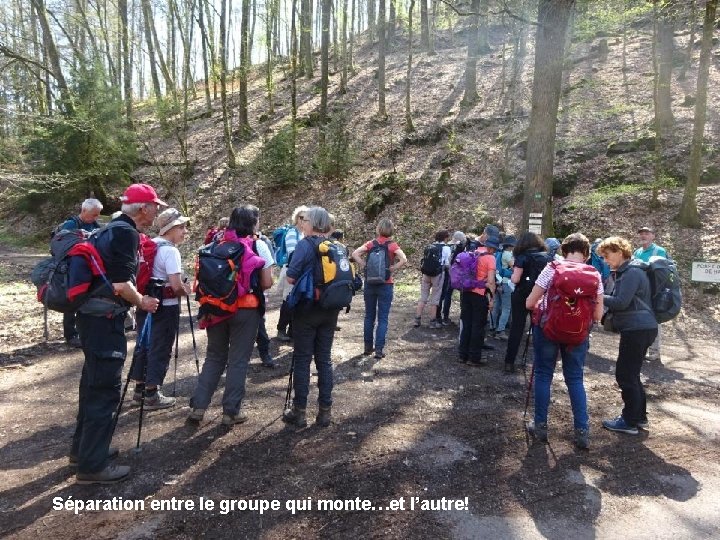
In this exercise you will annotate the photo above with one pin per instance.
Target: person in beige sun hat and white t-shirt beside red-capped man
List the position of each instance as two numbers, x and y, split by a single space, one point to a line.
150 364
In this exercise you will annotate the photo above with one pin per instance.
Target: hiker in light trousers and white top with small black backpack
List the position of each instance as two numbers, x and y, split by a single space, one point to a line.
435 262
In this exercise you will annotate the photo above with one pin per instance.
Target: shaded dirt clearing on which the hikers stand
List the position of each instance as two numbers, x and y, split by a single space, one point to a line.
421 426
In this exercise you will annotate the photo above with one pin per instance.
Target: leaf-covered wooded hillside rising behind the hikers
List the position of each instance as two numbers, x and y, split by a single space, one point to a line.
464 166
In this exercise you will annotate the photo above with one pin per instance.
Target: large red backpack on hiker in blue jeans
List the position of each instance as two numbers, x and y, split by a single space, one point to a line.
570 302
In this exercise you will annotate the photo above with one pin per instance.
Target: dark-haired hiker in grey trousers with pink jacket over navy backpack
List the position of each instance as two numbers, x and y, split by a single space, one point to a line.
232 329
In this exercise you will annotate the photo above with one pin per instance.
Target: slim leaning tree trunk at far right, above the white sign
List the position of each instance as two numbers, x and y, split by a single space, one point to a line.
688 208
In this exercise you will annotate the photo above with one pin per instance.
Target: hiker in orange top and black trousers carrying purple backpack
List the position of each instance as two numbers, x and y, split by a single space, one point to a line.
475 303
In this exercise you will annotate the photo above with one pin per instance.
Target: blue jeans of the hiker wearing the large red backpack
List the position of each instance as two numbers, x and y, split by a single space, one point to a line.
573 360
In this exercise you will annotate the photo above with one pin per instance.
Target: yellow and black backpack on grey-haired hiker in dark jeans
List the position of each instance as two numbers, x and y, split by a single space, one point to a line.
335 290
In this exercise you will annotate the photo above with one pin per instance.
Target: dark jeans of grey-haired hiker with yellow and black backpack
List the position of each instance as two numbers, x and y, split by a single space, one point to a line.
313 334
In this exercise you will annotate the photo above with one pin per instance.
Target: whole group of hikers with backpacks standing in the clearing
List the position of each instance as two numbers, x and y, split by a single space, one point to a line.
503 280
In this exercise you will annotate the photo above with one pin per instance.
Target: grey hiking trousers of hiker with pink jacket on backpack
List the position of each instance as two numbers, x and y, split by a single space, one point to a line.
230 345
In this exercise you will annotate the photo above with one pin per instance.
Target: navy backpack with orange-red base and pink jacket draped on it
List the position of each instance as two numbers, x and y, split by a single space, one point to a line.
225 274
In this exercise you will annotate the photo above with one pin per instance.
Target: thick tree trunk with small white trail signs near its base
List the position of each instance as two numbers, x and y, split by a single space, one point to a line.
553 17
